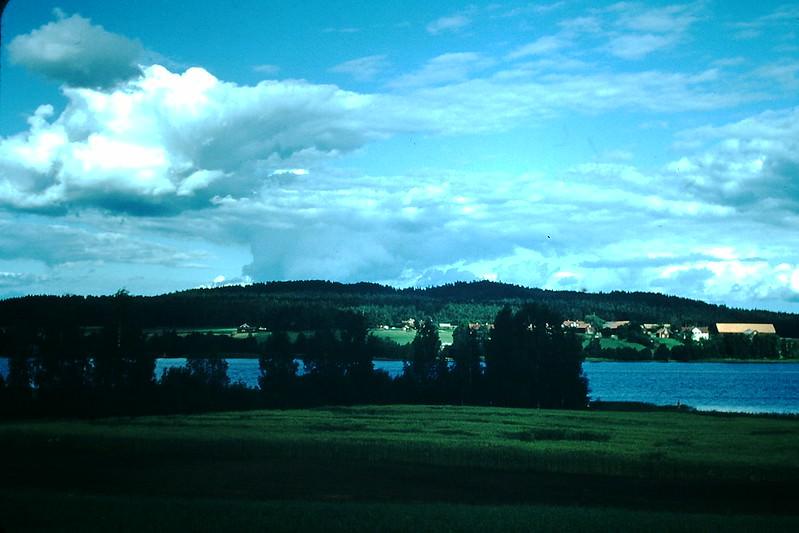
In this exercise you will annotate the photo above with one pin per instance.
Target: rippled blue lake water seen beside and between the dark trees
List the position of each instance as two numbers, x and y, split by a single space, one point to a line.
735 387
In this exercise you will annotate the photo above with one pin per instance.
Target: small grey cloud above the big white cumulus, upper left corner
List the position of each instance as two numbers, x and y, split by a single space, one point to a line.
77 53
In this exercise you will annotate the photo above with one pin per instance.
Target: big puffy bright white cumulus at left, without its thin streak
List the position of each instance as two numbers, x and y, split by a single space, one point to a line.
167 141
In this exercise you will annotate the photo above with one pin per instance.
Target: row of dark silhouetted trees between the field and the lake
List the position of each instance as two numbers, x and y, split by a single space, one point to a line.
527 360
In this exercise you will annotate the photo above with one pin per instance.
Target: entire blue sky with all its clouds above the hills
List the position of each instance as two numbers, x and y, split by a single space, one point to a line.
567 145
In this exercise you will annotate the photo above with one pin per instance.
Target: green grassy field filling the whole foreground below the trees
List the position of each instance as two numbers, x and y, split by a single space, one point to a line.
402 468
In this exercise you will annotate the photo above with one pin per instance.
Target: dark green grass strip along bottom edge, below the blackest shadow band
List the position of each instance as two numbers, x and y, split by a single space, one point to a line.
44 511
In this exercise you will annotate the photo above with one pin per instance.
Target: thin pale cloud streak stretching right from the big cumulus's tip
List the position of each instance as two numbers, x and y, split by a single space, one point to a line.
500 101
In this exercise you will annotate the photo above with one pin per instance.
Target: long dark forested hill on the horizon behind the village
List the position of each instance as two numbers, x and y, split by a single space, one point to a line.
317 304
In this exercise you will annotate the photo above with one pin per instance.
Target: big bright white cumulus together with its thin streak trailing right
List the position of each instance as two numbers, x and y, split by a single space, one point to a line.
166 142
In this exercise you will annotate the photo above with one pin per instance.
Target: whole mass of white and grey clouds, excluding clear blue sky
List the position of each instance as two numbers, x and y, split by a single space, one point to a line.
145 166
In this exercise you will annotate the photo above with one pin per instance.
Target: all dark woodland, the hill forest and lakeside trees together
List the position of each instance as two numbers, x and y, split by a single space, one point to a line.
91 356
